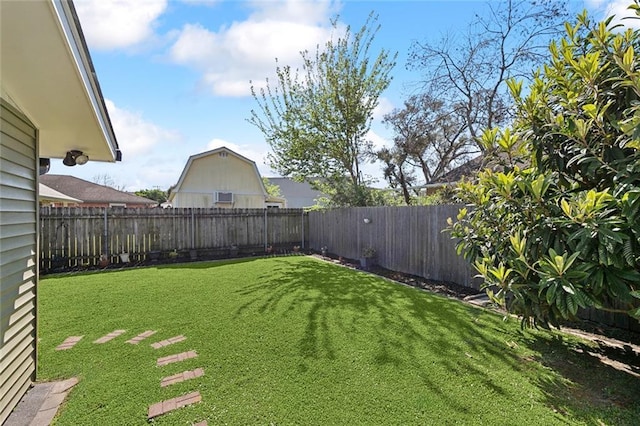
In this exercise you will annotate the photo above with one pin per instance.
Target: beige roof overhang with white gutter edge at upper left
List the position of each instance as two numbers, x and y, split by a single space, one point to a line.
47 74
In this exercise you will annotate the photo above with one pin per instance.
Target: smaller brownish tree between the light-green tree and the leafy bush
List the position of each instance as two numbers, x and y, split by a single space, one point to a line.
429 135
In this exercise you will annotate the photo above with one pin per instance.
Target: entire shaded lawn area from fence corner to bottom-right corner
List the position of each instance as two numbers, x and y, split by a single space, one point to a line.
580 385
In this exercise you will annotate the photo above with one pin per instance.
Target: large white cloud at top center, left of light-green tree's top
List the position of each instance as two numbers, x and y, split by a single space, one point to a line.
246 51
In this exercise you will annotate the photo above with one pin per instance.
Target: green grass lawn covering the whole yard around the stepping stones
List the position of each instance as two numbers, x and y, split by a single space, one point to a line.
297 341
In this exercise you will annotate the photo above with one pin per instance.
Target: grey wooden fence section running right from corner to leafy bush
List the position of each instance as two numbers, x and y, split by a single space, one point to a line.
406 239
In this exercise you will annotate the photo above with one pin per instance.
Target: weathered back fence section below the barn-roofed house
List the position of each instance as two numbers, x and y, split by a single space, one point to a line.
76 236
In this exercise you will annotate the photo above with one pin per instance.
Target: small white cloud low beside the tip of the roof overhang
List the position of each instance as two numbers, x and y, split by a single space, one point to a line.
135 135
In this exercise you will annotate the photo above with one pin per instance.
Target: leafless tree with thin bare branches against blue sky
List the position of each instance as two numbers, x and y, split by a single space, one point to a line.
470 72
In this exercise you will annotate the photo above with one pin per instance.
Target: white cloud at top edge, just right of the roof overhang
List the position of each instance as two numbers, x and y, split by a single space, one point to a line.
118 24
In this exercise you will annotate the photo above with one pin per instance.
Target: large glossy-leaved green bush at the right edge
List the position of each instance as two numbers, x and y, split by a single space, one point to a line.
563 232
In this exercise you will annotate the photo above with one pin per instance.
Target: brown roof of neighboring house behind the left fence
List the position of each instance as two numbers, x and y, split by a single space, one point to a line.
90 192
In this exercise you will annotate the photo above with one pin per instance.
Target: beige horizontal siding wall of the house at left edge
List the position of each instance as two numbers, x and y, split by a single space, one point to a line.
18 256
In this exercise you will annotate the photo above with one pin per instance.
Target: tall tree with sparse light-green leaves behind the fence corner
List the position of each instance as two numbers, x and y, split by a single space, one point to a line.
316 120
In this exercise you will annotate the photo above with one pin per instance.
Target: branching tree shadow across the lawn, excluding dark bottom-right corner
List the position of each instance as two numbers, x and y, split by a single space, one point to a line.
405 323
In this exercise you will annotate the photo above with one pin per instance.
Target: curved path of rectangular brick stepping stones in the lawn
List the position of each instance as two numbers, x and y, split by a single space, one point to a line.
168 405
